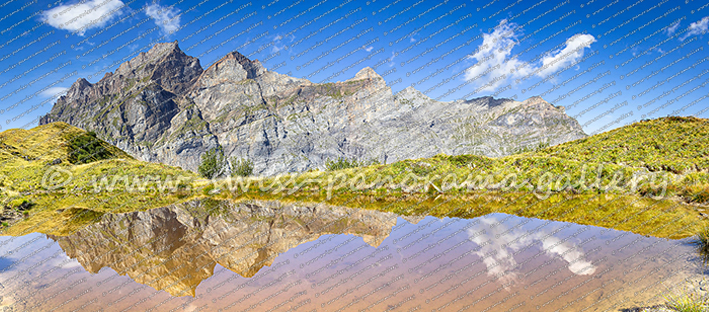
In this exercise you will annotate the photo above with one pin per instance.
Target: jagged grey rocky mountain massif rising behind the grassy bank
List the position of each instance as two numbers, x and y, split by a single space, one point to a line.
162 107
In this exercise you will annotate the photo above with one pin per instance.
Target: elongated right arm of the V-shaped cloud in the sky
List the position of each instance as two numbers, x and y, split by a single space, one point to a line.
572 52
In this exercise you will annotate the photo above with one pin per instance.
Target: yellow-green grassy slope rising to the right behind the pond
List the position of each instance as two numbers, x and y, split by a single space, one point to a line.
670 152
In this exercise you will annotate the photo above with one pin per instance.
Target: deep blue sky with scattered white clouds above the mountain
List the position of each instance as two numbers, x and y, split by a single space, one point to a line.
608 63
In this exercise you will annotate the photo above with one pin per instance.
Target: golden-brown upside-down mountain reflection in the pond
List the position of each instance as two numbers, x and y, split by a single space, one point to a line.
177 247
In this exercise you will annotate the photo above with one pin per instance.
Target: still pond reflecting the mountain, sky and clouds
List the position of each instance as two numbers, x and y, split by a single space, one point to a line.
263 256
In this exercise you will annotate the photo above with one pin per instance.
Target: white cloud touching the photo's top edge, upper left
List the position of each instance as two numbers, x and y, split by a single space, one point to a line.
80 17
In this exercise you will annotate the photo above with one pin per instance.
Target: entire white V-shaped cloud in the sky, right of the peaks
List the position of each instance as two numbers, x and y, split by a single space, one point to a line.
495 65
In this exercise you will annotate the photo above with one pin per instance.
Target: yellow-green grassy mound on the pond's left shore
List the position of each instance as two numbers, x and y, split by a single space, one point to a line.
25 158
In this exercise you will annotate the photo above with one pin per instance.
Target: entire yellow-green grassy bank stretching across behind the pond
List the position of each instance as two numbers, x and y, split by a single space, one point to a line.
650 177
